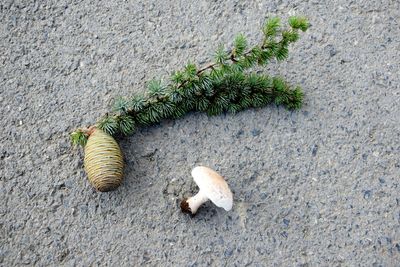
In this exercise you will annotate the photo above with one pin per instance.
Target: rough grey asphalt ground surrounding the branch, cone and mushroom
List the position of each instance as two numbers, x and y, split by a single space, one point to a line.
317 187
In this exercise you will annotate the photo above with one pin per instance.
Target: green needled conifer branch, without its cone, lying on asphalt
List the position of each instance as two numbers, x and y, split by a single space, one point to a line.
220 86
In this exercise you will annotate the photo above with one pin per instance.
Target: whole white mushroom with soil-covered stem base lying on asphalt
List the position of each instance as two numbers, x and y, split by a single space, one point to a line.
212 187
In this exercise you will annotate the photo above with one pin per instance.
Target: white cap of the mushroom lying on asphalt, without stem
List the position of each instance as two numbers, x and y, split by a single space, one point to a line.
213 186
